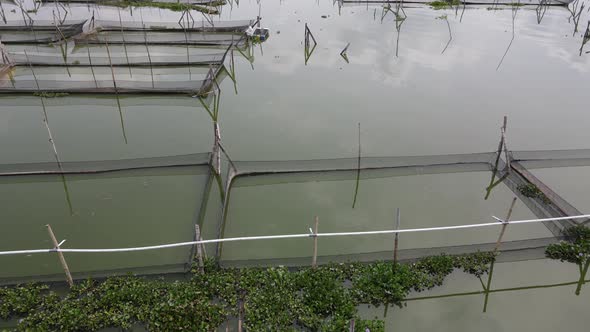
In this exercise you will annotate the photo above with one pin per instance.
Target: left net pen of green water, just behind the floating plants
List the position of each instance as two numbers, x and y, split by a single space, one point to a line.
94 210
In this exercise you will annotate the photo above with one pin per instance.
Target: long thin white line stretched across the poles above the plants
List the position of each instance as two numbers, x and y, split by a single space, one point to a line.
291 236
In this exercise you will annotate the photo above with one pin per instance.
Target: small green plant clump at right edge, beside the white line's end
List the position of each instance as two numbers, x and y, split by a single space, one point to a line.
575 249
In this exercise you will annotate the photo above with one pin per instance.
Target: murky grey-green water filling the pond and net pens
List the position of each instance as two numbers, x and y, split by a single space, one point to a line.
412 95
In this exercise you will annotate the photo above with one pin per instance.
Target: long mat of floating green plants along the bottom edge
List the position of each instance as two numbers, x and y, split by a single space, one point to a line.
269 299
